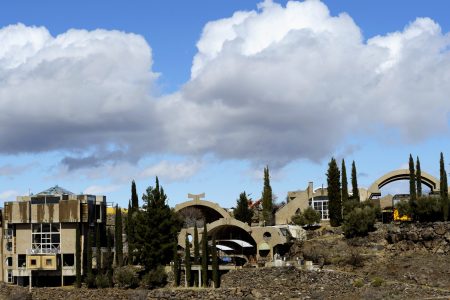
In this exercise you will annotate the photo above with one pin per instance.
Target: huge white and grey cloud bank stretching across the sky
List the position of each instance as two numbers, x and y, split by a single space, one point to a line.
271 86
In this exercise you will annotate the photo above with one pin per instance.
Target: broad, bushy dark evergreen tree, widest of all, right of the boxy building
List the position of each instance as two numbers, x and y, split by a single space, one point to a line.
156 229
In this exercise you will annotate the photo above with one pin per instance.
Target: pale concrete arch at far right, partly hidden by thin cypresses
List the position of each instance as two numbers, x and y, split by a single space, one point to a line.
401 174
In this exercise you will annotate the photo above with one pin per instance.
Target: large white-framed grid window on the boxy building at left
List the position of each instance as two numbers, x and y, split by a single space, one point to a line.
45 238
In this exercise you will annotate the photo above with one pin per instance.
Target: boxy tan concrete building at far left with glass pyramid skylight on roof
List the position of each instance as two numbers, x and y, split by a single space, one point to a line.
38 235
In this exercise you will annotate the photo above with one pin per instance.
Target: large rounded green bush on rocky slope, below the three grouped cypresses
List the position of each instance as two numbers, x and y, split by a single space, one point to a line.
360 221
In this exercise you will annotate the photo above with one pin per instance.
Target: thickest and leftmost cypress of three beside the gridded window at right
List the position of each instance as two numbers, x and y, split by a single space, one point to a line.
334 194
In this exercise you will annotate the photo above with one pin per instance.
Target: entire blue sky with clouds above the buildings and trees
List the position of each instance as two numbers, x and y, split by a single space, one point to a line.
204 94
